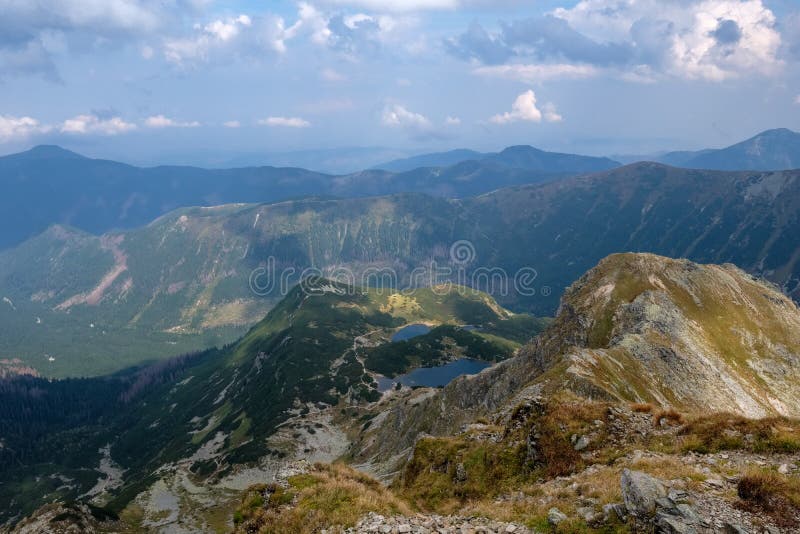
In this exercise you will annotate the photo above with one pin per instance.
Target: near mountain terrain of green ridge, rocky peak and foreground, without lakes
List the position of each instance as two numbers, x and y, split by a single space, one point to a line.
176 445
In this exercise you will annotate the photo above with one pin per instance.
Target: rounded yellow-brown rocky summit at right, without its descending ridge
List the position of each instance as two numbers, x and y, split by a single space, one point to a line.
641 327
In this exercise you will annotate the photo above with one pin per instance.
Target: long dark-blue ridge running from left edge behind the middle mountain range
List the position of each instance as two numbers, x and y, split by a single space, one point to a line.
49 185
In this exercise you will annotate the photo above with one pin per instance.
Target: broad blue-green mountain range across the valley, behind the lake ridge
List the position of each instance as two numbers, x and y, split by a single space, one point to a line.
183 282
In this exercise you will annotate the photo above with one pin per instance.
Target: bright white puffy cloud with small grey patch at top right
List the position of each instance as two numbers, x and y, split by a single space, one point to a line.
707 39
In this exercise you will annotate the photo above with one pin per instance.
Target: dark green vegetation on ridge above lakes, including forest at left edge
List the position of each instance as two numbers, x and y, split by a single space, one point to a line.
301 356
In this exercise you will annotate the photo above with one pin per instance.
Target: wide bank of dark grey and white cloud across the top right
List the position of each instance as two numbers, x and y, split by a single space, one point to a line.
692 39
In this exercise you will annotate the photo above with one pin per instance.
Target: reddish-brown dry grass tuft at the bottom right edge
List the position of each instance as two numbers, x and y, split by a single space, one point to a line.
768 492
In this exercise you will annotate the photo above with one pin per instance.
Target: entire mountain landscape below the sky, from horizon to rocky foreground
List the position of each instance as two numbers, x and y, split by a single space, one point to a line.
385 362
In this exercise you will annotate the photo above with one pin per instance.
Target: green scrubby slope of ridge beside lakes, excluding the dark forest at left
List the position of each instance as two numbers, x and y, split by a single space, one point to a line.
302 353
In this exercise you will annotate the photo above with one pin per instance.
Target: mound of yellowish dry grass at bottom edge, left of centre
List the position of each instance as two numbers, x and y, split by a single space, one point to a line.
330 496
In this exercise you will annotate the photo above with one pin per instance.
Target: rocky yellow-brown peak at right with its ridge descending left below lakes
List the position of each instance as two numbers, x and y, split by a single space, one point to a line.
636 328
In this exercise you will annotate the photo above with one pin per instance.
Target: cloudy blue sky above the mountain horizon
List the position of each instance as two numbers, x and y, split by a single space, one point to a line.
200 80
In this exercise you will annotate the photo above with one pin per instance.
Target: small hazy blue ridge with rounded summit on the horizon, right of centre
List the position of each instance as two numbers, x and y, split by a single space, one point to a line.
514 157
